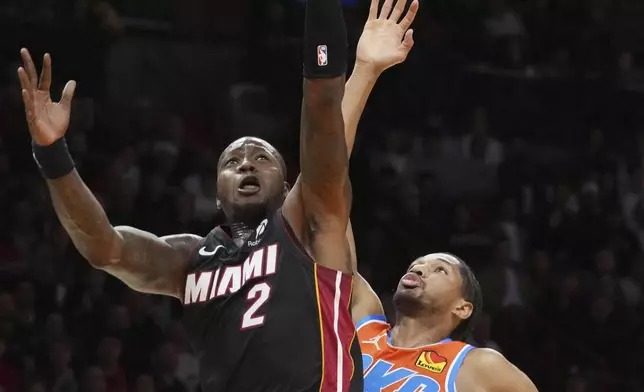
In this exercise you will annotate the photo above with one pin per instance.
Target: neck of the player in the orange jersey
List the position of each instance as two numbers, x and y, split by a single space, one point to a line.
414 332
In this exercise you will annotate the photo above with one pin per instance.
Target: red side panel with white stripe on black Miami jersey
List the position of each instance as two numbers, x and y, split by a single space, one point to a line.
333 289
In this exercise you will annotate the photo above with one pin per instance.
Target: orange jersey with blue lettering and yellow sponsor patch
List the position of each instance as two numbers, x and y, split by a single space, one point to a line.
431 368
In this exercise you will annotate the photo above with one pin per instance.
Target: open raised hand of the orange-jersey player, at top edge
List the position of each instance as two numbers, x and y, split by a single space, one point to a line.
385 41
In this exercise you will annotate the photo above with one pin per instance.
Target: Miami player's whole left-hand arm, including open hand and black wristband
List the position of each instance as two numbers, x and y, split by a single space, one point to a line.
142 260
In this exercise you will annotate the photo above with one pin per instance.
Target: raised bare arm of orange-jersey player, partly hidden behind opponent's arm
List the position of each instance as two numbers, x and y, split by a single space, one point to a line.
384 43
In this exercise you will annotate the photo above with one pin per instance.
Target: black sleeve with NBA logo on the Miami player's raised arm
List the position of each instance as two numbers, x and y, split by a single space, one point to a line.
325 40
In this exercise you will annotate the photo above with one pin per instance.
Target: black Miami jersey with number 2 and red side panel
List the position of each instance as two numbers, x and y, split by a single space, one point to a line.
265 317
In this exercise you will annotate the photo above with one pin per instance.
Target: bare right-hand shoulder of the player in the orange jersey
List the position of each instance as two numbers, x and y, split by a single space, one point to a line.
491 371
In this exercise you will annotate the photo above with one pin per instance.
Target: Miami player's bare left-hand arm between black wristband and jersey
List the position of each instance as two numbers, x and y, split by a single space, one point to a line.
142 260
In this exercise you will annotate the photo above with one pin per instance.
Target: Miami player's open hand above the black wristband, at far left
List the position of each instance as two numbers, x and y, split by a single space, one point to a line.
48 121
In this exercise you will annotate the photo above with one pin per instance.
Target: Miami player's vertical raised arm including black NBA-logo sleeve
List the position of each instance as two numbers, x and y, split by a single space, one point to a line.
318 206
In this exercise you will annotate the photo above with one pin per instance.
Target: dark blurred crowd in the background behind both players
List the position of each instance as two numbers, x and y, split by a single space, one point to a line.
512 137
